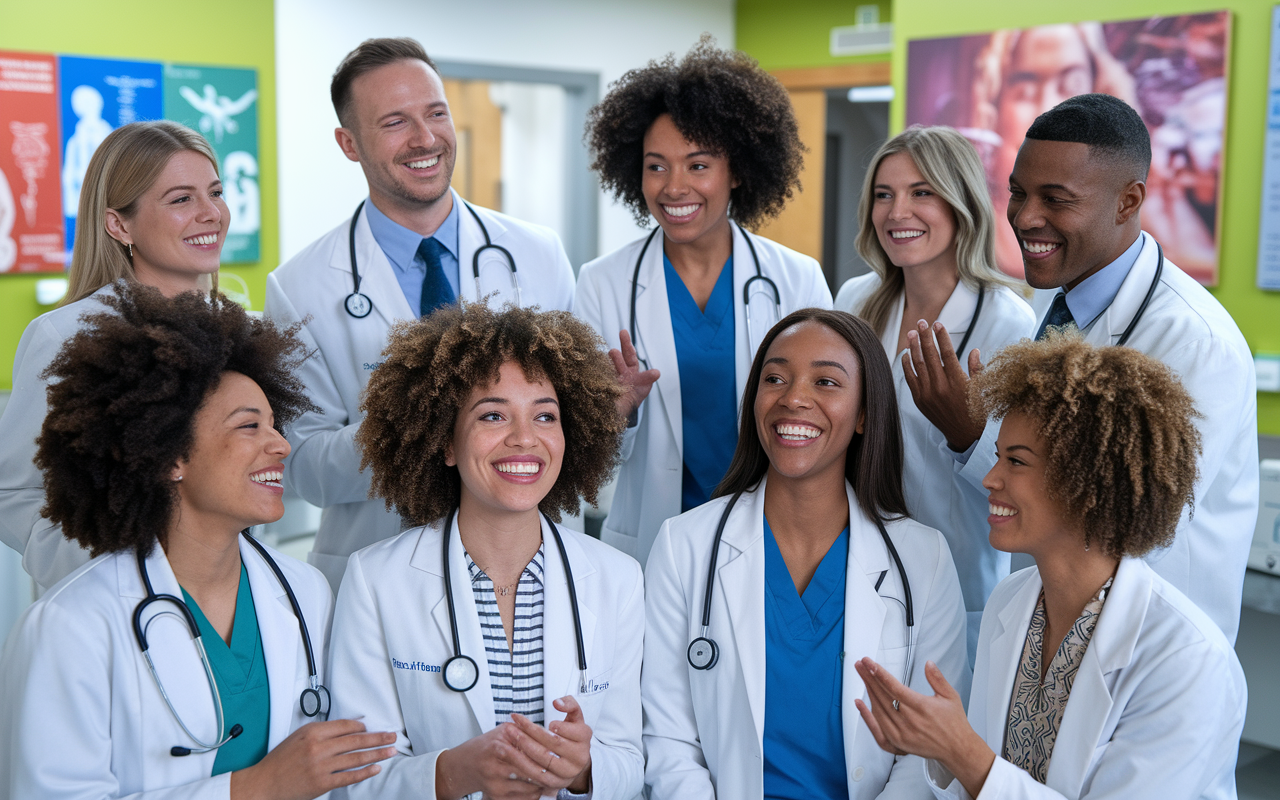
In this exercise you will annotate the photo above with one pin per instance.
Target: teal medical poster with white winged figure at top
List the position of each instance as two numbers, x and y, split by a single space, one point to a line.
222 103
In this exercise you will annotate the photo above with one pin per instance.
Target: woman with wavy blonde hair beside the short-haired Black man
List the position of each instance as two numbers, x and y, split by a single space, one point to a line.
929 232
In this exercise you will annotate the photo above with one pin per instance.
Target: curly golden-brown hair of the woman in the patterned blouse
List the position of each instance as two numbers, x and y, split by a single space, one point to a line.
1119 429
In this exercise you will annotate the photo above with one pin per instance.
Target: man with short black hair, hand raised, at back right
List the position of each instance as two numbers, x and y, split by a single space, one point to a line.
1076 194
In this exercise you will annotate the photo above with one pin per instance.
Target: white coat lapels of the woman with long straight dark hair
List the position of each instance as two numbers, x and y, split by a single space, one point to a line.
742 579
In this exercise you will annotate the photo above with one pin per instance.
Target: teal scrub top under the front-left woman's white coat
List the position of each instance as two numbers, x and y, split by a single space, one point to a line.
240 673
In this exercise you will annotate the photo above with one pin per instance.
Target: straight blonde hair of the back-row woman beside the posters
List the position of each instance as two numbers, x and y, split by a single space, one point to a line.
124 168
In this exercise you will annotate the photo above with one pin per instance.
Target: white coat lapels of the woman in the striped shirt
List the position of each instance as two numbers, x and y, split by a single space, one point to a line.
560 647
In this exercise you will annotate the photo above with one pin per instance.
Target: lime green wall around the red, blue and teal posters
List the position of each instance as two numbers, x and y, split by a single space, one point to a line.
234 34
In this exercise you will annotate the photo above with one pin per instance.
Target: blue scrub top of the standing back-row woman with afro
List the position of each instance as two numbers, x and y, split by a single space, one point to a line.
708 382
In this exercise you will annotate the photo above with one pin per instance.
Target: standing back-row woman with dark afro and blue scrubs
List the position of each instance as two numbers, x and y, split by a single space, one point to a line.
707 147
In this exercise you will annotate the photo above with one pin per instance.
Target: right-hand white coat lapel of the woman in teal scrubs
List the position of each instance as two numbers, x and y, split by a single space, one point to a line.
282 642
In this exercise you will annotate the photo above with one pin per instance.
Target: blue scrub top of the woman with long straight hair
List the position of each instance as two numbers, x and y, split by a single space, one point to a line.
804 637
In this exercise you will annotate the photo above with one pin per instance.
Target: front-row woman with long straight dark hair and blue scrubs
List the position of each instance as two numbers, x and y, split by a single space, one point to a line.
760 602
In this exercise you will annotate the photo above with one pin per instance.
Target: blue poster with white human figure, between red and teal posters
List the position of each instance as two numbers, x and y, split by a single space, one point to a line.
99 97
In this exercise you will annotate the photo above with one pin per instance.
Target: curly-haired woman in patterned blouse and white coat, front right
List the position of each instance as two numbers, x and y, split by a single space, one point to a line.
1095 678
